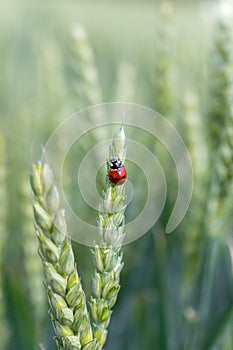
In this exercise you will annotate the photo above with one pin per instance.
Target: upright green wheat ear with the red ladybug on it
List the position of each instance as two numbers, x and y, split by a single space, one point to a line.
107 255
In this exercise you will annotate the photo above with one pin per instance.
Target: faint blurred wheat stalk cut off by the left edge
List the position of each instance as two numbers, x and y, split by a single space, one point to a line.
4 330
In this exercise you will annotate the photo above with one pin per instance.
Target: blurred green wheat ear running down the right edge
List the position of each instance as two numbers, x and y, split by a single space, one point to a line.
221 129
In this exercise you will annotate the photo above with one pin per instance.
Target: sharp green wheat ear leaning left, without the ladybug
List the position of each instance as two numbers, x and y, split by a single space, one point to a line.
66 297
